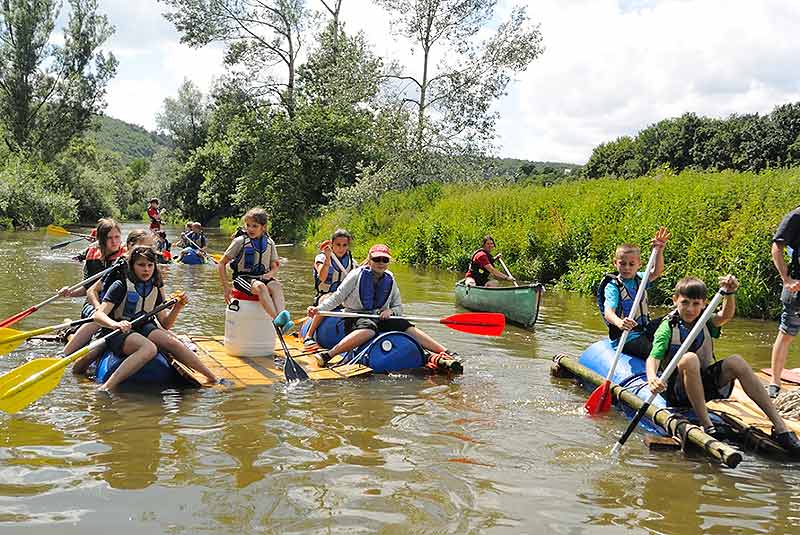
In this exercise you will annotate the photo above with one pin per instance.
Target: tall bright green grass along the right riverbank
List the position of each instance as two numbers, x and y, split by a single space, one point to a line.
566 234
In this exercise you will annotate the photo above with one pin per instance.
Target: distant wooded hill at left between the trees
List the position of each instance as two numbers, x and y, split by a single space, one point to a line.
130 141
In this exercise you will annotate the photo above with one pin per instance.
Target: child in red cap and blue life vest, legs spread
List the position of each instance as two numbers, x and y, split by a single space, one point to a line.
372 289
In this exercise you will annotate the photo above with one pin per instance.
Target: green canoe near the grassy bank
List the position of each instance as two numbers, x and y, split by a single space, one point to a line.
520 304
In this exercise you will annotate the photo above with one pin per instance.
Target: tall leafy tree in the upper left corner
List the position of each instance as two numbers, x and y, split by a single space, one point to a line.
48 93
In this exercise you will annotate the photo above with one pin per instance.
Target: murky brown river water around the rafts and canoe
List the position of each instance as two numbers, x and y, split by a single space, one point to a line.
504 448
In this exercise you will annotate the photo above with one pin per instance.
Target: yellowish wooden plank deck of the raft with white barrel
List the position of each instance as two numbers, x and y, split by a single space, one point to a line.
242 372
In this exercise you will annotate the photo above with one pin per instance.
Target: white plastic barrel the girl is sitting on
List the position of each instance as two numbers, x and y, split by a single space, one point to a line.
248 329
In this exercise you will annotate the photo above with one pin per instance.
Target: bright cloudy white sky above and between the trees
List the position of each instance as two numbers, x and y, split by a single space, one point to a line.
610 68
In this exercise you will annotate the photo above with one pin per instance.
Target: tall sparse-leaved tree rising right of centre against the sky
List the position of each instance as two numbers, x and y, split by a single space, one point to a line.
470 73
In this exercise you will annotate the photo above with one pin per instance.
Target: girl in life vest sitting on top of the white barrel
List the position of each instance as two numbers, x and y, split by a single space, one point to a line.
254 260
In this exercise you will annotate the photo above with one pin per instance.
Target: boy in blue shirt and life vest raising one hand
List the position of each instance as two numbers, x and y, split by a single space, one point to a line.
617 292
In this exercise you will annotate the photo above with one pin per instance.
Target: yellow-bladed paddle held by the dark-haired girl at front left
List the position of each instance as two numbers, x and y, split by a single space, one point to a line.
23 385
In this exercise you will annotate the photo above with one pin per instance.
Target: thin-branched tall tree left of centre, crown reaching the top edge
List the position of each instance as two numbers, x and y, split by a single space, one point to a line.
258 34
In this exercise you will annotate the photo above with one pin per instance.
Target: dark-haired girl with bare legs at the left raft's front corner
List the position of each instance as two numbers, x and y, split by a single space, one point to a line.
138 294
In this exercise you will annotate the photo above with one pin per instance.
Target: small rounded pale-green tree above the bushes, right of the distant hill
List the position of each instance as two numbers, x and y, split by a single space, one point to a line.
185 118
